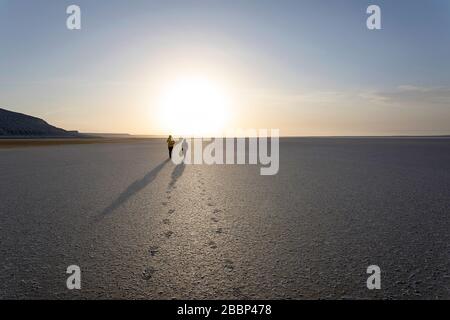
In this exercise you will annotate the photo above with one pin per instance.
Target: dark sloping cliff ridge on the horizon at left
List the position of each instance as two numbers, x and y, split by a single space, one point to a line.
13 124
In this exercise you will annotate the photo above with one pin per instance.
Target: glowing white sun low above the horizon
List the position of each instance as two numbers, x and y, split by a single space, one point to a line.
194 106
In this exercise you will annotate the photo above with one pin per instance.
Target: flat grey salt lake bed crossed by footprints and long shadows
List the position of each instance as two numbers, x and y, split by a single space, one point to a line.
140 227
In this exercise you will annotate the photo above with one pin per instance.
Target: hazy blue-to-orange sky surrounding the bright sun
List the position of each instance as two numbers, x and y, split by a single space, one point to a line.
305 67
